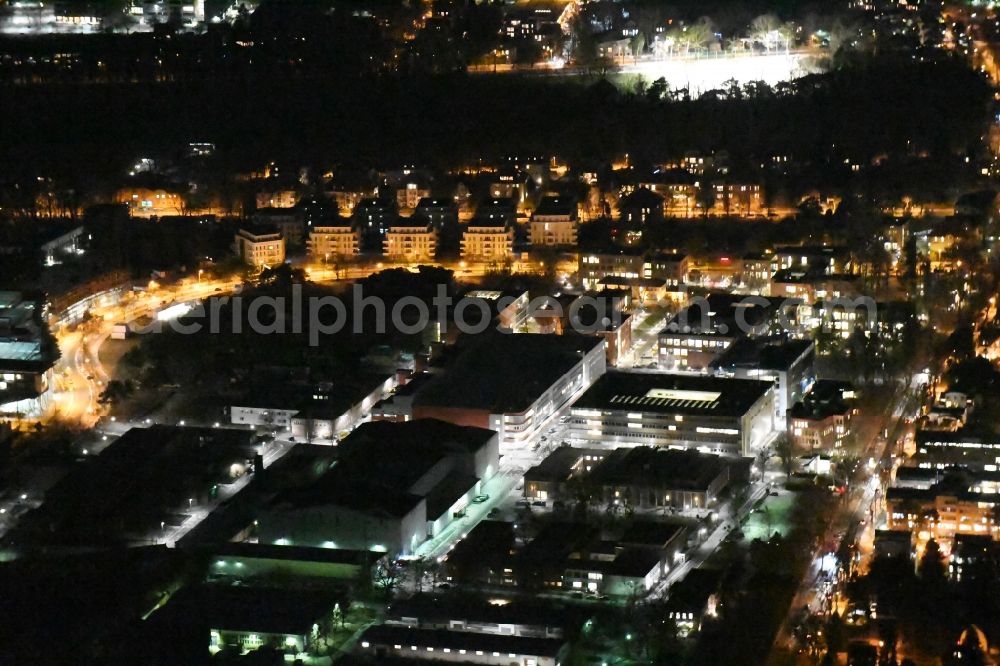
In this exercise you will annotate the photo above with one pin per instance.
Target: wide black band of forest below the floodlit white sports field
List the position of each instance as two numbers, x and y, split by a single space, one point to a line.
880 108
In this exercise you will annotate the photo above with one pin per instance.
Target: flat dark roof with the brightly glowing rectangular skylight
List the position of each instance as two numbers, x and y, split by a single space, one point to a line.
673 394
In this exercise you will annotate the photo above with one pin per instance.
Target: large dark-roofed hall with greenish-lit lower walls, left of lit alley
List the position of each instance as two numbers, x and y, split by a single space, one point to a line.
394 486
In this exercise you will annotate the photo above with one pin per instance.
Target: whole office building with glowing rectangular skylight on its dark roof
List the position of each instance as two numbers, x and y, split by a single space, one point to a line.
707 414
